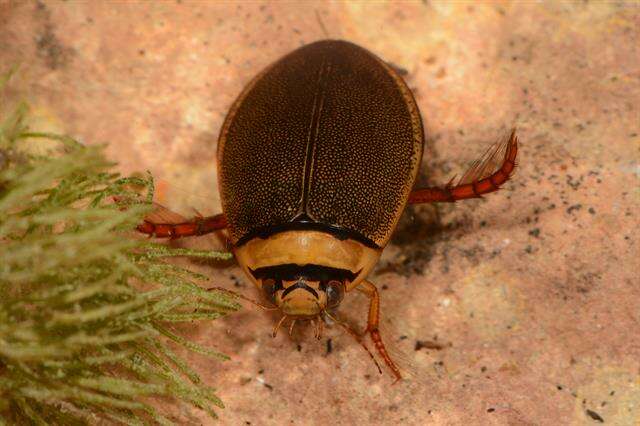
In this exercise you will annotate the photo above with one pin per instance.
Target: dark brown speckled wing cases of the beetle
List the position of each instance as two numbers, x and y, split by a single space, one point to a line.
328 131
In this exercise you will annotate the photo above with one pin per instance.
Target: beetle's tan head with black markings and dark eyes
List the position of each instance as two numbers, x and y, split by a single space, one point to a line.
303 291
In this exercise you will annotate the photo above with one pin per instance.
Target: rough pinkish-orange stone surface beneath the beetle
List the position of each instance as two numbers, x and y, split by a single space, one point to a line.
531 294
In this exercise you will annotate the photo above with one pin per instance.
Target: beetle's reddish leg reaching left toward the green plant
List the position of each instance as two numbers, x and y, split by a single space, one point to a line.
195 226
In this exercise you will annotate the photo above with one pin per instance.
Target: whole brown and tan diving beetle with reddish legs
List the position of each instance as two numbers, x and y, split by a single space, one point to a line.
317 160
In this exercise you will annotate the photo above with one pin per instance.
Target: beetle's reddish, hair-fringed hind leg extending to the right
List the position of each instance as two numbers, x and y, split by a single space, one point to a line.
479 179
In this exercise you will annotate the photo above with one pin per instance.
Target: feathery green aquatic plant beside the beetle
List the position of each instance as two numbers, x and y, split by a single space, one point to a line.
86 308
